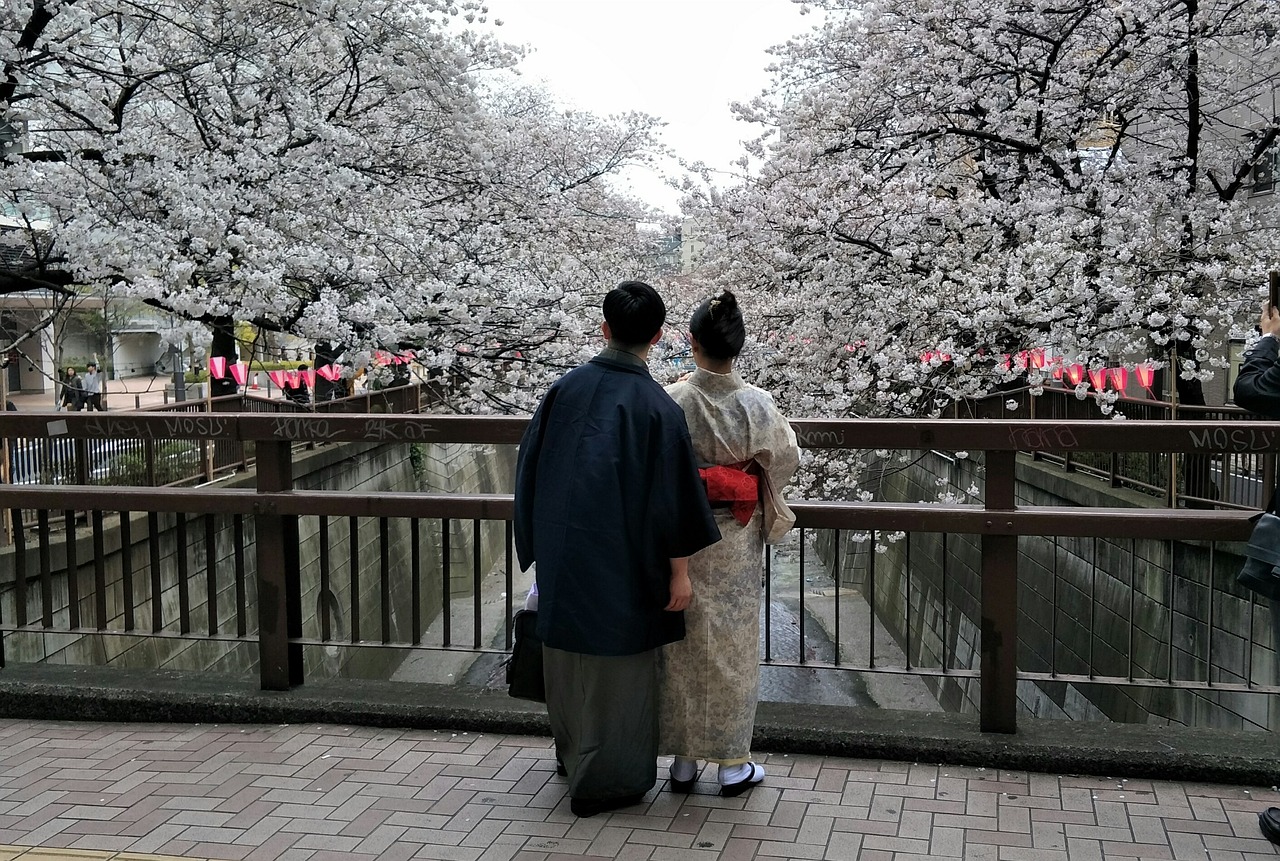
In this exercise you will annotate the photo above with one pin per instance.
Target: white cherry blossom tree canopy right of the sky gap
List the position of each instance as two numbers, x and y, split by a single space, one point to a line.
971 181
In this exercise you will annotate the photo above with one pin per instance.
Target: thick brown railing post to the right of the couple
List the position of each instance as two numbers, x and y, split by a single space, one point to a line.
999 704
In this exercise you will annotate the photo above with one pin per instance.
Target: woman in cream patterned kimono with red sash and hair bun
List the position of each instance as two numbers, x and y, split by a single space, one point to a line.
711 680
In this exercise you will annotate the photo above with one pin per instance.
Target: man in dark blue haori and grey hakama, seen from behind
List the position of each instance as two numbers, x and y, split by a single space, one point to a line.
610 506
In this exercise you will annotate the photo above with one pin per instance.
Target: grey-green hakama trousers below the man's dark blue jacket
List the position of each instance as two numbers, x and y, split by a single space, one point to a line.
605 718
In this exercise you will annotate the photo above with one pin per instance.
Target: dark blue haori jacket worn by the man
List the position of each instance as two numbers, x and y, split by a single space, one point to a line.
607 493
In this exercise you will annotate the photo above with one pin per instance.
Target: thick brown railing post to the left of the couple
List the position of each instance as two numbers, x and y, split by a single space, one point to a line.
280 598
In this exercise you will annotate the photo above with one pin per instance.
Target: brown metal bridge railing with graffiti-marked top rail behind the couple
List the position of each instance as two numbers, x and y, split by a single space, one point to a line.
1131 601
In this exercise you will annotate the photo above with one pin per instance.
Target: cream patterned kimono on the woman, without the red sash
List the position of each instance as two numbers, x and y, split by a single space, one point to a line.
711 680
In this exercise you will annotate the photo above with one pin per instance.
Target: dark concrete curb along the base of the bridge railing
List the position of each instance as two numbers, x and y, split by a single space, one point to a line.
49 693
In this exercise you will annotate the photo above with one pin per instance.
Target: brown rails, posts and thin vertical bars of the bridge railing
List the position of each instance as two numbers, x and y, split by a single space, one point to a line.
276 511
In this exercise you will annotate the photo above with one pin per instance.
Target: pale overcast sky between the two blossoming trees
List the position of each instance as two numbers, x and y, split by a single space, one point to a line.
682 61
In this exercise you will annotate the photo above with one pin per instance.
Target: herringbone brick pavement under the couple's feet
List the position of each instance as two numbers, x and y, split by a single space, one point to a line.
84 793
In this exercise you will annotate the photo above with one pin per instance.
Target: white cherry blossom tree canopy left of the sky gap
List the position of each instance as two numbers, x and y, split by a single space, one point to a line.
362 173
